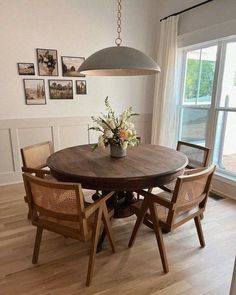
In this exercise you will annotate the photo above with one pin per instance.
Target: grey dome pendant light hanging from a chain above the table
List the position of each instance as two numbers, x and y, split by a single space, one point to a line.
119 60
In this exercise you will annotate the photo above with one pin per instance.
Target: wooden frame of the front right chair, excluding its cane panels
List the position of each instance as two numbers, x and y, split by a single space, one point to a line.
150 201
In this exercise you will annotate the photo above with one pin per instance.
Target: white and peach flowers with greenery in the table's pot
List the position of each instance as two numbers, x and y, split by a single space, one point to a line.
118 131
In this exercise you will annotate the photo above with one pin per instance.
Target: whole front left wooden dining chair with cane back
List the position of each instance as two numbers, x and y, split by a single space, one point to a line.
60 208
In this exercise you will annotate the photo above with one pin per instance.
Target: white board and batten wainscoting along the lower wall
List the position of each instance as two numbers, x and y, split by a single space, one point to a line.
63 132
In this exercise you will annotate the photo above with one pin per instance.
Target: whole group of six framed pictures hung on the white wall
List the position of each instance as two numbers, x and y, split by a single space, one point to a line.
47 66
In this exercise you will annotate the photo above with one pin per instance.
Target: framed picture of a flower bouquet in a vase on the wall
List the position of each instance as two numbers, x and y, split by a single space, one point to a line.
47 62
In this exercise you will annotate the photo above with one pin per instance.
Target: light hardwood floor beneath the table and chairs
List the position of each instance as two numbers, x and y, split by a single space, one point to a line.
63 263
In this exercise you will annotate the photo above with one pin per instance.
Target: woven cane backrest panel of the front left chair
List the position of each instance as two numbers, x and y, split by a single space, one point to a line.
56 200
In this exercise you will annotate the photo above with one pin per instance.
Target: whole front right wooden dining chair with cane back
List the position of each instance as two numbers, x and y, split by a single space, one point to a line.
188 201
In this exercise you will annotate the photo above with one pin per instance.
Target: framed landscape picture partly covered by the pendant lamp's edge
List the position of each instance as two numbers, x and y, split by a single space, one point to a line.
70 66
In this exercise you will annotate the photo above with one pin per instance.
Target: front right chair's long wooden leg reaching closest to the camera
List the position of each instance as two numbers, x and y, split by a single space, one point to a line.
159 237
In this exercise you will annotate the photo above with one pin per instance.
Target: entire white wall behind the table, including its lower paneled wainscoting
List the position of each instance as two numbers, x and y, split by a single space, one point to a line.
73 28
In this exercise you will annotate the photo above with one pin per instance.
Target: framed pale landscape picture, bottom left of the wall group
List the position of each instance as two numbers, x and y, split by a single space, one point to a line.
34 91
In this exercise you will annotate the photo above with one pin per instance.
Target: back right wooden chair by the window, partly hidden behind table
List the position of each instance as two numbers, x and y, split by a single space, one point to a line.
198 157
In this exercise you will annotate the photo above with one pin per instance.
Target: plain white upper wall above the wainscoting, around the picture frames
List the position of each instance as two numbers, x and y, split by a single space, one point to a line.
74 28
